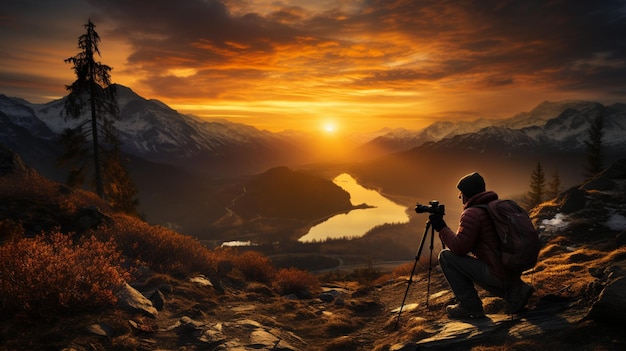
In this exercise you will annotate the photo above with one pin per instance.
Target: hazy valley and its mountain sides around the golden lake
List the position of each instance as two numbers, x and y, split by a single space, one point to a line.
222 181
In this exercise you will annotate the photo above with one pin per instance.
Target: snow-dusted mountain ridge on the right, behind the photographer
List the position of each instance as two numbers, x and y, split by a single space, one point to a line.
555 125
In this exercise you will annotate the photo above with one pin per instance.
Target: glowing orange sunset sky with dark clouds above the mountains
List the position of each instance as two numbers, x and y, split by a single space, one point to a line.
359 65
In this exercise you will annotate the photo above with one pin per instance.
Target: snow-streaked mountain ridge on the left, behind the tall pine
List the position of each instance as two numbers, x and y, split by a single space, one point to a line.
150 130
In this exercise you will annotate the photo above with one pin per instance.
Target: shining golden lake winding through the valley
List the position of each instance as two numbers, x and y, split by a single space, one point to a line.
357 222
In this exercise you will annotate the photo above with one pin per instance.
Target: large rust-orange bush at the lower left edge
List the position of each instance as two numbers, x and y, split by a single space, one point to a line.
49 274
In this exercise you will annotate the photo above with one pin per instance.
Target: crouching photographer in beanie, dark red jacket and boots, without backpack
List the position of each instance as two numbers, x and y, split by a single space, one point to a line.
473 255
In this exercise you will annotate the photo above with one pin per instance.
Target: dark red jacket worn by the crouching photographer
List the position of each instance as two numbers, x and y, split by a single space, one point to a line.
476 234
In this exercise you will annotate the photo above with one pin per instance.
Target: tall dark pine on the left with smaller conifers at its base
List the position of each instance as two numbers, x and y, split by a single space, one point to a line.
93 95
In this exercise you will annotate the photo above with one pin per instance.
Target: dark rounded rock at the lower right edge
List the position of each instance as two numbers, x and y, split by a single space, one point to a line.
611 304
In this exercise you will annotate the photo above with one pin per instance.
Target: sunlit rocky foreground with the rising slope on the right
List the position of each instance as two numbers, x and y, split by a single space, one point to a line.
578 304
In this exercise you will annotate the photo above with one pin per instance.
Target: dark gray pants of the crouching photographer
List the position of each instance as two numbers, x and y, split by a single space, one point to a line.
462 272
